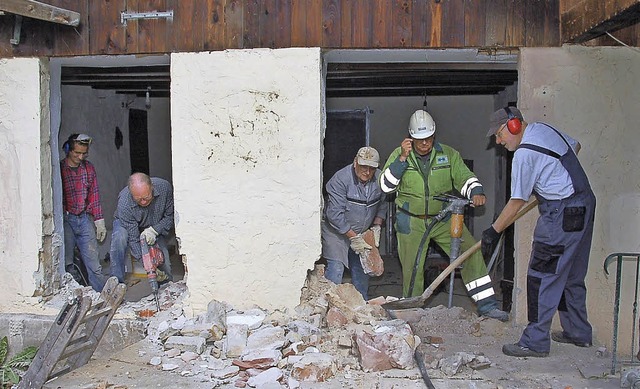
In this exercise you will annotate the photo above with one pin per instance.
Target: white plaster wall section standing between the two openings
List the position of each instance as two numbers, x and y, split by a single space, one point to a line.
248 128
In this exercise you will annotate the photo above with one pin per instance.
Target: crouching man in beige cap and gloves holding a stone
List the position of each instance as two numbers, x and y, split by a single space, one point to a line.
354 205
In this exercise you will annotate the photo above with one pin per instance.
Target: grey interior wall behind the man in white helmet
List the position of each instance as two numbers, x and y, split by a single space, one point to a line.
461 122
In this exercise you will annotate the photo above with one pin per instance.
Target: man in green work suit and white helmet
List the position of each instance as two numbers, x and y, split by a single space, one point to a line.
418 170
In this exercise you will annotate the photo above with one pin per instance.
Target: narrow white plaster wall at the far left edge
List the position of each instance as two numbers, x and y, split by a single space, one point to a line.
22 197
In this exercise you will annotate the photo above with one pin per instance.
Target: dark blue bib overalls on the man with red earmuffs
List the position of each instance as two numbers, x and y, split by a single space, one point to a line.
559 263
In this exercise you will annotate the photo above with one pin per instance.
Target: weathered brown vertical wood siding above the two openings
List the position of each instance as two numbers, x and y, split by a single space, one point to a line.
203 25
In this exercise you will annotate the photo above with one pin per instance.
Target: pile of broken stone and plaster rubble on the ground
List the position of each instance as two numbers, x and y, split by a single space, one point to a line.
332 330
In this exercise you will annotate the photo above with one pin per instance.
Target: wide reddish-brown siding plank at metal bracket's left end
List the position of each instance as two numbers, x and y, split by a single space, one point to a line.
108 36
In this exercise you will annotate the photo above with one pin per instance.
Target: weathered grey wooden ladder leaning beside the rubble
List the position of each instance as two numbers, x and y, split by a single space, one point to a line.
74 335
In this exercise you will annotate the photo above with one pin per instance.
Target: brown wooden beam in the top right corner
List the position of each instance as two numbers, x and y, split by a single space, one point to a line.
589 19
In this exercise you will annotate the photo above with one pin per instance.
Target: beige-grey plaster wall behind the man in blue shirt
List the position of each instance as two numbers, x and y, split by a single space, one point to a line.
592 94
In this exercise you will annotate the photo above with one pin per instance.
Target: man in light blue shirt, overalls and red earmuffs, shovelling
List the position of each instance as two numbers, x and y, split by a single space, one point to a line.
545 163
